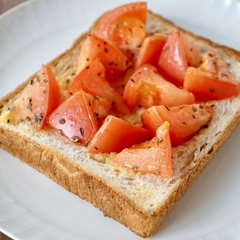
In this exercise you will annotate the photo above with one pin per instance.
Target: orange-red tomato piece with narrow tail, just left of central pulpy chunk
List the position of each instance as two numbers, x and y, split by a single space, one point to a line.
92 80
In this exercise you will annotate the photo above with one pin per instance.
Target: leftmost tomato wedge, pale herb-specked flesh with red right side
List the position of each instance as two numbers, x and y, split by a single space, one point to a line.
39 98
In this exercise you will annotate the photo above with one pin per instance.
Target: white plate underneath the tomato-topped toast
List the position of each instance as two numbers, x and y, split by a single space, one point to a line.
32 206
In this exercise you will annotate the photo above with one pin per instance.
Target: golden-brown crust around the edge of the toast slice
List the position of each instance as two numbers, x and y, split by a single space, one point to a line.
90 187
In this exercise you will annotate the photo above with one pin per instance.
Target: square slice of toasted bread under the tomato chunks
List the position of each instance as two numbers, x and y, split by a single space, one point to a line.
138 201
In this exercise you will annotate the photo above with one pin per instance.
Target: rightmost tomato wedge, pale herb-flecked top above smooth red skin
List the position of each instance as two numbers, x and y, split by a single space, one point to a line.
212 80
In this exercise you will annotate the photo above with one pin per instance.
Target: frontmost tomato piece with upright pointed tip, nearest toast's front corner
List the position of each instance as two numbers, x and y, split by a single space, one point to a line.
153 156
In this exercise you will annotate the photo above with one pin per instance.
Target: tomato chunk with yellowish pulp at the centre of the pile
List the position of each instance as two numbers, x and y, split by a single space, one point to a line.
146 88
